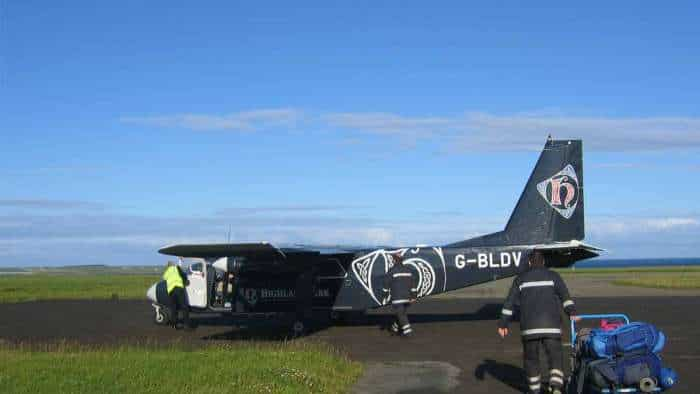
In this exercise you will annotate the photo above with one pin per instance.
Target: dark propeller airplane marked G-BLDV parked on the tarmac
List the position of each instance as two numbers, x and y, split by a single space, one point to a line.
243 279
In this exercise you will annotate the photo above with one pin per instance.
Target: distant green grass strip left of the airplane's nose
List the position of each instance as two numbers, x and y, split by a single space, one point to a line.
18 288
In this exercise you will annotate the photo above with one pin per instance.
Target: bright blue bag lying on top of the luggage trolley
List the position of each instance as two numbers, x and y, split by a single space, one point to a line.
633 338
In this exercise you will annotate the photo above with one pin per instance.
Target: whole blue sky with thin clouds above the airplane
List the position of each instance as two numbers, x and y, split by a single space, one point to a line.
125 126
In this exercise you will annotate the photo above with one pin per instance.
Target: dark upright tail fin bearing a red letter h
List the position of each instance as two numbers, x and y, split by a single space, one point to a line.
550 209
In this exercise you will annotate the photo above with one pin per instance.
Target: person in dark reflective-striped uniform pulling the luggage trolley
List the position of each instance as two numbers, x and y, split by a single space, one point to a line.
541 294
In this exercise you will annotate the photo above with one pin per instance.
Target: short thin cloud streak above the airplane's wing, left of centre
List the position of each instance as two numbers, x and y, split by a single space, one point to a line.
240 121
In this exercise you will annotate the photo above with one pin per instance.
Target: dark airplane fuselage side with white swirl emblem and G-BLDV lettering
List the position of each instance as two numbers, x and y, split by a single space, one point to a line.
353 282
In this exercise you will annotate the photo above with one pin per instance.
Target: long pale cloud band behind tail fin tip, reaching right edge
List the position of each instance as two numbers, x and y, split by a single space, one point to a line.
484 131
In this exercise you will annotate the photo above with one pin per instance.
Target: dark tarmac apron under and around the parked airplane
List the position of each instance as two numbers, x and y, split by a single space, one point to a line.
455 347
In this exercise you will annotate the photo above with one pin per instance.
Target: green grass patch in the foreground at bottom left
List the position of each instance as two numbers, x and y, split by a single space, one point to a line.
231 368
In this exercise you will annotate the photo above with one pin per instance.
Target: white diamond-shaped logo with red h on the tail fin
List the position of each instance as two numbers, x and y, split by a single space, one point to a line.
561 191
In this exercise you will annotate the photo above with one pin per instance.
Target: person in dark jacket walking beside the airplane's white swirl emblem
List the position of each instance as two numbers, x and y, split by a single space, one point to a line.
399 283
